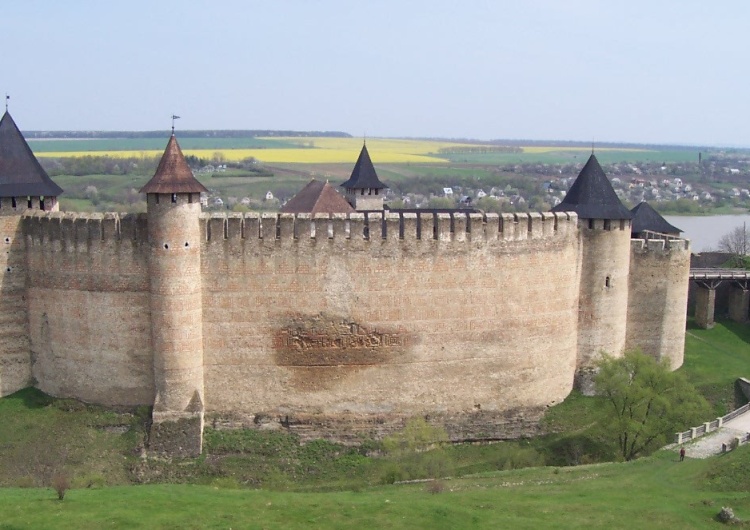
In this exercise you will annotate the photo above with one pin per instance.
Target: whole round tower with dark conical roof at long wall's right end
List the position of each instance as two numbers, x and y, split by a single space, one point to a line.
604 225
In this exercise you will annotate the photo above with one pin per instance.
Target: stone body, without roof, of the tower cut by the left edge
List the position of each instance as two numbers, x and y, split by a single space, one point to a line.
15 355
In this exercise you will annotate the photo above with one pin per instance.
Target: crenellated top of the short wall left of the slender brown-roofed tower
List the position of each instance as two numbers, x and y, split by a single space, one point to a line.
71 229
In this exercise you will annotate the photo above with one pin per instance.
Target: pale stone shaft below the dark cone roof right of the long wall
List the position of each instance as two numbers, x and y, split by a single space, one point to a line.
602 314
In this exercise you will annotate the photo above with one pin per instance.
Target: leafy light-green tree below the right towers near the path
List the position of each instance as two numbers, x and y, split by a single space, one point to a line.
644 402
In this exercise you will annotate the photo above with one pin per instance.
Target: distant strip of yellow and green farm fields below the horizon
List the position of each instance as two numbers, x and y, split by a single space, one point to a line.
328 150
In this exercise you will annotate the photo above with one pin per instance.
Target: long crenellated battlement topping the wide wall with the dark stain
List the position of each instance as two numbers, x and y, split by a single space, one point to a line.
388 226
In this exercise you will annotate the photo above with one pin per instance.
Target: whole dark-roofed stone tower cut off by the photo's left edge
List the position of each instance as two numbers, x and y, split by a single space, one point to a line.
24 186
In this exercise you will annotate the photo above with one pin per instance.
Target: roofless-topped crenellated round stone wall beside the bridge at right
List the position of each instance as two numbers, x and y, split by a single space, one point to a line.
657 303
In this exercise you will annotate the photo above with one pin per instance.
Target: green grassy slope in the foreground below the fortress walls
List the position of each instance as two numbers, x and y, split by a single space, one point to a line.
521 484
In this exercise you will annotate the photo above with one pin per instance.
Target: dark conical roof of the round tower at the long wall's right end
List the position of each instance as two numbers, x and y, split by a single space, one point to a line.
592 196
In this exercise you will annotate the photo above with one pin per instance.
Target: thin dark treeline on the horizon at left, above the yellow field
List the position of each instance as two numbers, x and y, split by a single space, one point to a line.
251 133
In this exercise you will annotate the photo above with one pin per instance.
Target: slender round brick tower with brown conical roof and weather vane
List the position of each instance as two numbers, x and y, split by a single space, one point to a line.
173 205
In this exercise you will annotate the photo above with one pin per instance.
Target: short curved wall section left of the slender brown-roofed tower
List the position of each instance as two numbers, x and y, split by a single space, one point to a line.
88 299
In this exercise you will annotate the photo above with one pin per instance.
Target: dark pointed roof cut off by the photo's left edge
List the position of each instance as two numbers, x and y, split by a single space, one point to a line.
21 175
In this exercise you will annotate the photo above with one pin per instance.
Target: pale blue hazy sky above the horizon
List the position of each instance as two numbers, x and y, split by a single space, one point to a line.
644 71
